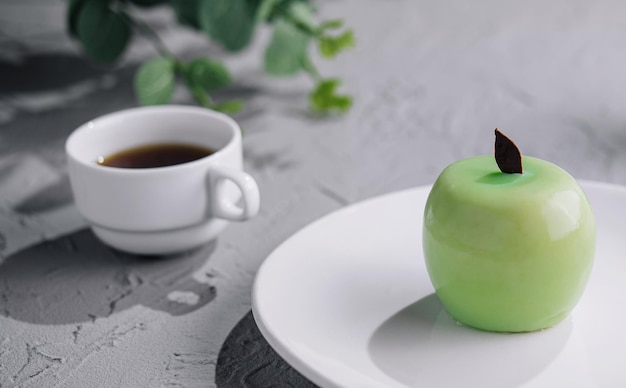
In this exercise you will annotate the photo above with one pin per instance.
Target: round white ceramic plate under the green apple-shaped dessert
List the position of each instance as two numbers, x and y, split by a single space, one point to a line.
348 303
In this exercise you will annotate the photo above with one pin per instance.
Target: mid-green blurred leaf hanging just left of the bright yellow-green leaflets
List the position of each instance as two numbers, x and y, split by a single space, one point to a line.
285 53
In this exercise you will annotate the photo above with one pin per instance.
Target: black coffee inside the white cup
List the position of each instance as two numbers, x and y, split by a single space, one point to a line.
155 155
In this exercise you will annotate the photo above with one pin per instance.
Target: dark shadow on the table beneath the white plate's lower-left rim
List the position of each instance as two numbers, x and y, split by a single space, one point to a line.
247 360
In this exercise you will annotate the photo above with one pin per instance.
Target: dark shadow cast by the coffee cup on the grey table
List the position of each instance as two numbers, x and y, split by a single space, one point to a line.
76 278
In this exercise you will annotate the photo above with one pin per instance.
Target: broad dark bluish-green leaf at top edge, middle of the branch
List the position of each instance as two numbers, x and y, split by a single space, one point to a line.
229 22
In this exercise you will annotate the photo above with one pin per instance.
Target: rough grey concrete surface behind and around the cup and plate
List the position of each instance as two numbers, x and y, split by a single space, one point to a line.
431 81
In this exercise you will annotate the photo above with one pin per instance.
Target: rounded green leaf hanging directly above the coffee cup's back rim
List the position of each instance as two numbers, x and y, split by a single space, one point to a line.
154 81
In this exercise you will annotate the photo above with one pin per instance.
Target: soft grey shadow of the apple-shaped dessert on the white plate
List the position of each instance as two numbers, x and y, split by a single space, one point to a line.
422 345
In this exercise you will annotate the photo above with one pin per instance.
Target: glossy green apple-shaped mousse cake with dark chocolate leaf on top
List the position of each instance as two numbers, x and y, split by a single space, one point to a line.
508 249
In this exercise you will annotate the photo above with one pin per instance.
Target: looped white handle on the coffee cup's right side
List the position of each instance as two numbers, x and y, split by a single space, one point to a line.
226 209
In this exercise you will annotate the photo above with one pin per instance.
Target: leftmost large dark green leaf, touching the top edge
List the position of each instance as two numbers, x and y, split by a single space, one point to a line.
104 33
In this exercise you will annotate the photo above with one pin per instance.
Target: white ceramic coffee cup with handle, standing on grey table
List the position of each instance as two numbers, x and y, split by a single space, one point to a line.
162 209
